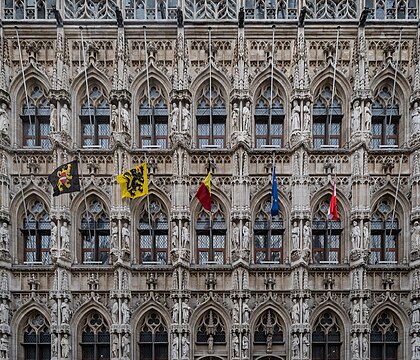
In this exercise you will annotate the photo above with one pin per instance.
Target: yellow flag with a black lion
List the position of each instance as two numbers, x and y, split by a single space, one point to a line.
133 182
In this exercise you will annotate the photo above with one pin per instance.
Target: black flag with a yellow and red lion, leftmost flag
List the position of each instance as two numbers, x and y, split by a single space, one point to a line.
65 178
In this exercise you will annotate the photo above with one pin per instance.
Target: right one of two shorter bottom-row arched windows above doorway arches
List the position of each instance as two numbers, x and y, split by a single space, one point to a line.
268 332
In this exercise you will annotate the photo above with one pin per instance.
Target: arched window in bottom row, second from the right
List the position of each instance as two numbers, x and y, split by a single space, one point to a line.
326 338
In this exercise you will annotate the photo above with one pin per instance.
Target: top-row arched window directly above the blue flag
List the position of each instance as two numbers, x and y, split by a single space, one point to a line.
269 117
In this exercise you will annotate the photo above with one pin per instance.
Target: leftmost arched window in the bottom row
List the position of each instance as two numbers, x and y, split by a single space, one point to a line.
36 338
